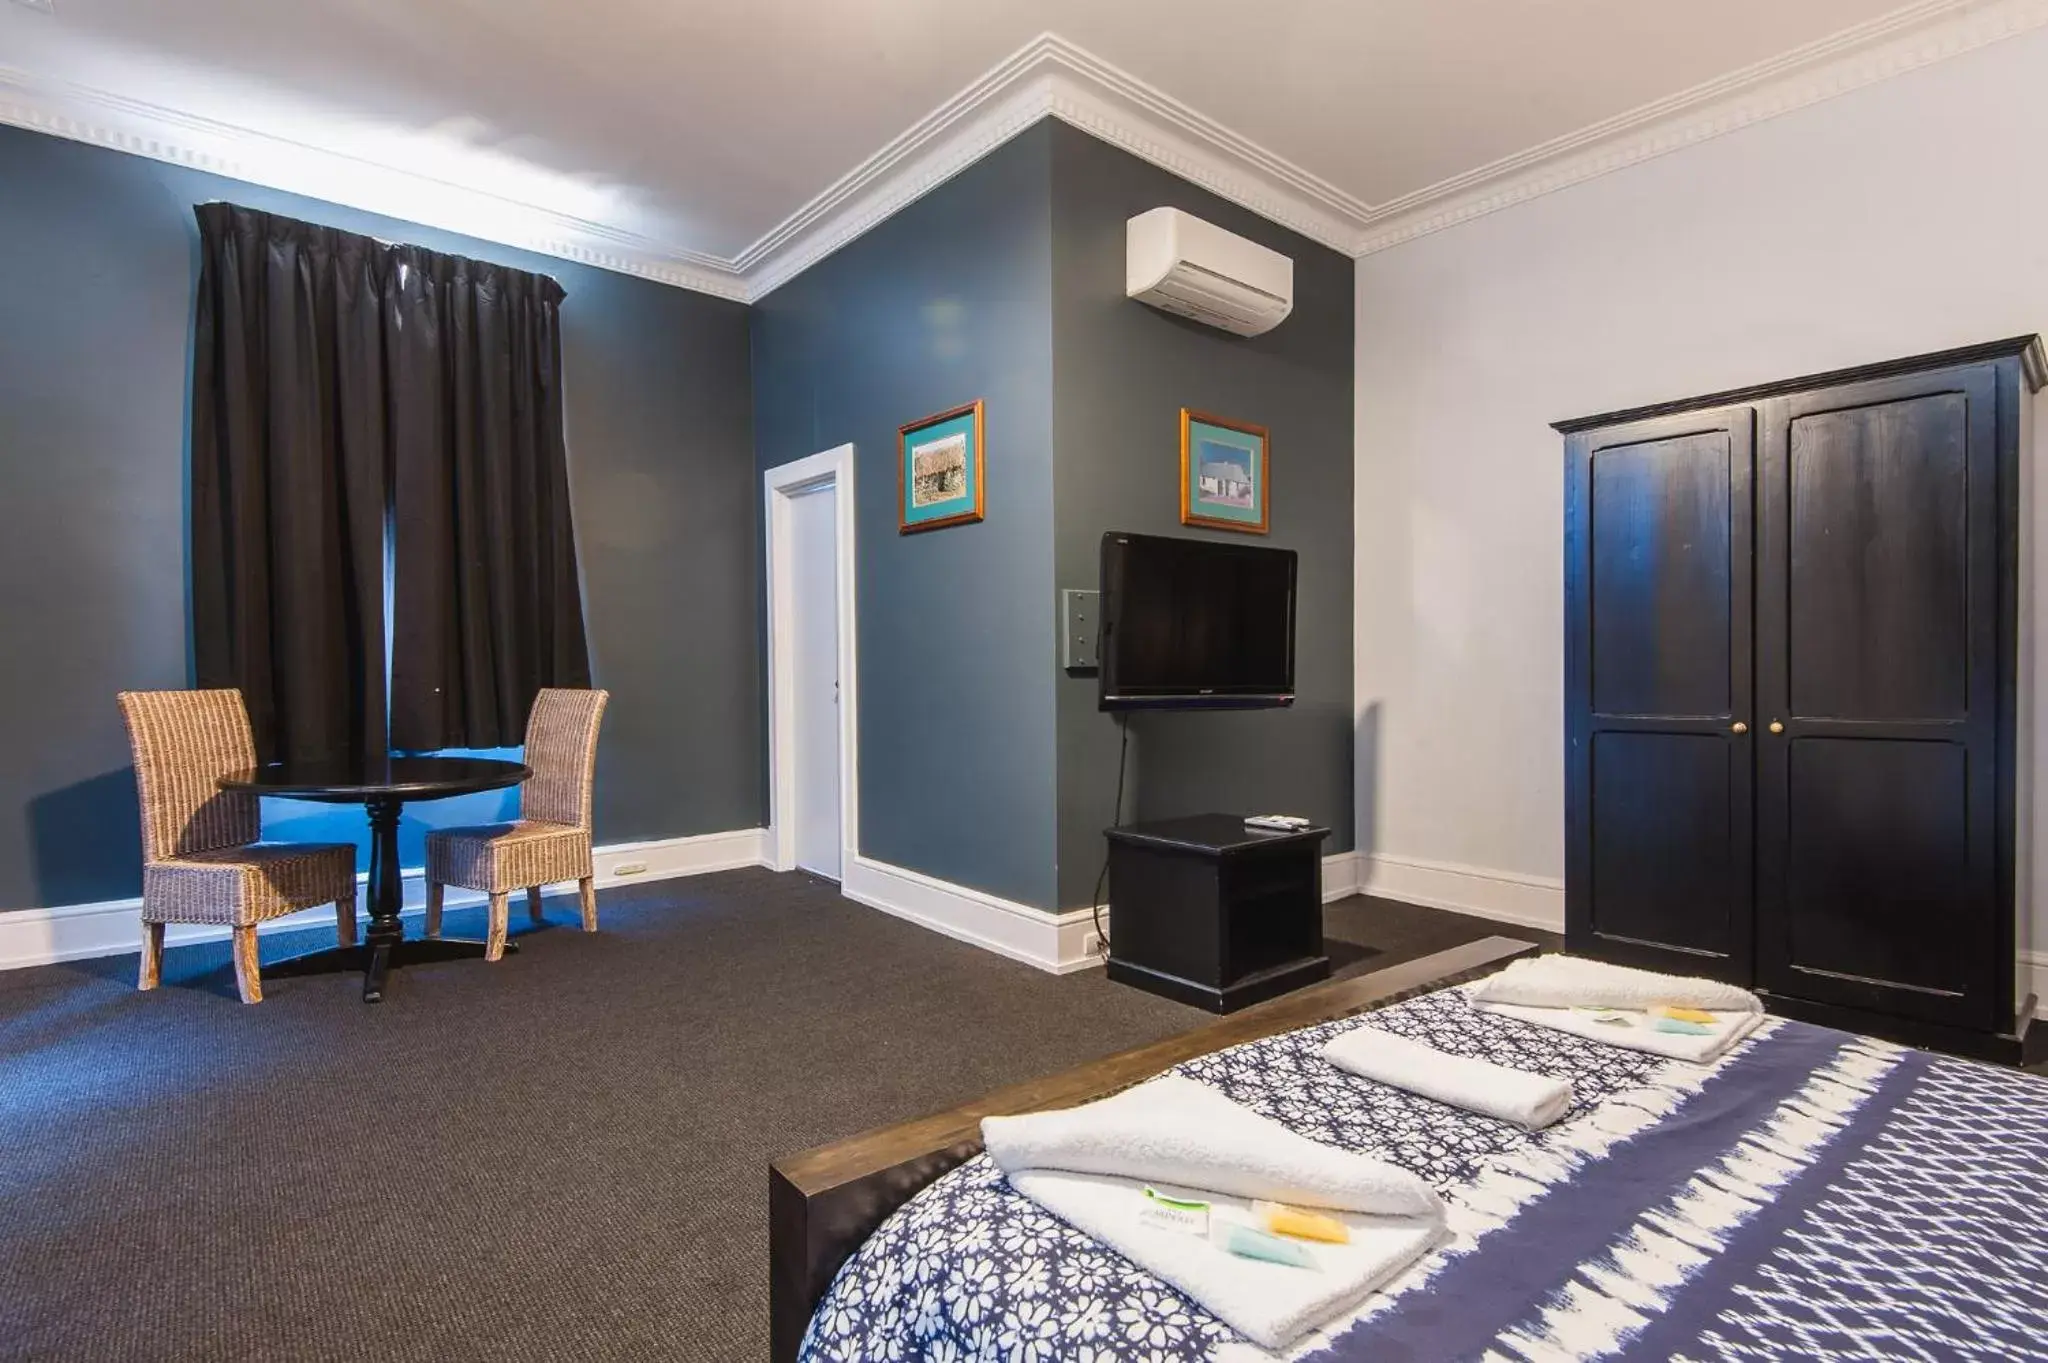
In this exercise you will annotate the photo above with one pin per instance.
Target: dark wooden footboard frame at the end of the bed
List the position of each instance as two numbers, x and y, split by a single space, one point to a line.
826 1202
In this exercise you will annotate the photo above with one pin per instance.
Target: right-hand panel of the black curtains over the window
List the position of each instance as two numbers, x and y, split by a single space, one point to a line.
488 607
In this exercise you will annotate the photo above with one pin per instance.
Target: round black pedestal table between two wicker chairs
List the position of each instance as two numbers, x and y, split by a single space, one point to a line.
380 785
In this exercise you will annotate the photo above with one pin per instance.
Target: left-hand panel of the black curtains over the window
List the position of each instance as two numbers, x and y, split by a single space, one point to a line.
290 492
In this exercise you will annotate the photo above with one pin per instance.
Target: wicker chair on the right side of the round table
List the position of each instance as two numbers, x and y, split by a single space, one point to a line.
548 842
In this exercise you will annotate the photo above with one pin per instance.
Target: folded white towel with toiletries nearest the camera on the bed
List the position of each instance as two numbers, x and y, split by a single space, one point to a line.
1091 1166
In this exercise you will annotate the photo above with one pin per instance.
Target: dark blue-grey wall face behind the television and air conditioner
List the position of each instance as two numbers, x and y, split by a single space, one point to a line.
1121 376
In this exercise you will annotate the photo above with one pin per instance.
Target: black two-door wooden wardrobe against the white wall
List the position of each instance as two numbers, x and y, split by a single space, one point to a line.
1791 646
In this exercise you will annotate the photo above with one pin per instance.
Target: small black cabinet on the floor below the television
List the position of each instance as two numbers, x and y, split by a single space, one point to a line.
1213 914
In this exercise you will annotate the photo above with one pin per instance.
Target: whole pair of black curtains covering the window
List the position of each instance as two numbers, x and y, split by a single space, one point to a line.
357 406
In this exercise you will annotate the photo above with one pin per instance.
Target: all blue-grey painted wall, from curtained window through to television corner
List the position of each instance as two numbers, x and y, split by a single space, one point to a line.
982 762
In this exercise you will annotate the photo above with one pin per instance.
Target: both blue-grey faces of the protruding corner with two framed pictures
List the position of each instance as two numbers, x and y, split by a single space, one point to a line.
982 762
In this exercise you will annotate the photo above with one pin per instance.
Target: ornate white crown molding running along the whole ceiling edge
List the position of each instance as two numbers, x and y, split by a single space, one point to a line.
1050 77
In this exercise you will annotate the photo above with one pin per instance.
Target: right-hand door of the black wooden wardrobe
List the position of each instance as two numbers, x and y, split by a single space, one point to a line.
1879 695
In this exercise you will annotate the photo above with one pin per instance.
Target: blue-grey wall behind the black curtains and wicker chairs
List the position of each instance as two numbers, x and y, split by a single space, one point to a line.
97 275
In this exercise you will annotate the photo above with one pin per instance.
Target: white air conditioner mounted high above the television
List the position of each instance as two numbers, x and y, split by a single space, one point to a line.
1195 269
